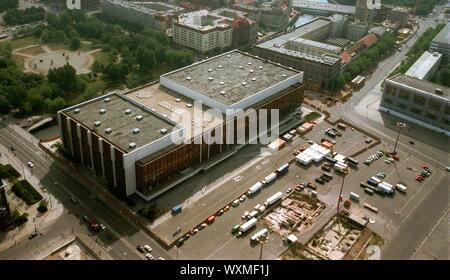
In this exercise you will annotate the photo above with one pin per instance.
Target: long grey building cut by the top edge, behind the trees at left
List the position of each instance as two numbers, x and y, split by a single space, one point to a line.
156 15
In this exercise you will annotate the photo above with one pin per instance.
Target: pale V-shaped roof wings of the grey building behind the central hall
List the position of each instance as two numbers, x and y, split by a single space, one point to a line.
278 44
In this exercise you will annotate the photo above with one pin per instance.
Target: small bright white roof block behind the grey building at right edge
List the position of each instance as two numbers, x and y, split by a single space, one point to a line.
426 66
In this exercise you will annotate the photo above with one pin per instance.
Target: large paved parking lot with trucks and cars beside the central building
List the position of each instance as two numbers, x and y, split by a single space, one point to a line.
216 241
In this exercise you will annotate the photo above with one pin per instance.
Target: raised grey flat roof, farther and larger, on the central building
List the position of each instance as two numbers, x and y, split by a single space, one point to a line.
231 77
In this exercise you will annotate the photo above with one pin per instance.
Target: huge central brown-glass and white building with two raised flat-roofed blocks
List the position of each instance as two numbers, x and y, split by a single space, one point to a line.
129 138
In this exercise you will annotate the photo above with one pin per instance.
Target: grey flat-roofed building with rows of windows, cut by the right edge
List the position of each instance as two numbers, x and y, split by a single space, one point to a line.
418 101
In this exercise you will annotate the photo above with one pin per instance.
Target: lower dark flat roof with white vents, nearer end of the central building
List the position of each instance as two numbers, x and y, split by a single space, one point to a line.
122 124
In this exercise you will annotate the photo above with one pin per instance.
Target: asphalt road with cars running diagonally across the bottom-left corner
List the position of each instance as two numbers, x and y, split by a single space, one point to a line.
120 238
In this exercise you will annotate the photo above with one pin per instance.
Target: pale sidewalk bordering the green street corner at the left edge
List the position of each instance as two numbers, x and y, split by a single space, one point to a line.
35 219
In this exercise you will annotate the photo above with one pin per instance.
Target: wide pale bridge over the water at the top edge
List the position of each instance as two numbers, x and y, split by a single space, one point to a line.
320 8
